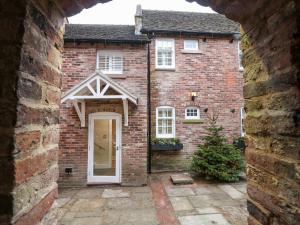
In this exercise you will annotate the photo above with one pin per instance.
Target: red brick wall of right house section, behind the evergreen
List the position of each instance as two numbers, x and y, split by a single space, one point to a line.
214 75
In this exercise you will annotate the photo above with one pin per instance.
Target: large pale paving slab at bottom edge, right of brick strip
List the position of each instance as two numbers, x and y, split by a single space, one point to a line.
209 219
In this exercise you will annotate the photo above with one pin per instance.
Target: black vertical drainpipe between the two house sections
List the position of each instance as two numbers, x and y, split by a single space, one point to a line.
149 110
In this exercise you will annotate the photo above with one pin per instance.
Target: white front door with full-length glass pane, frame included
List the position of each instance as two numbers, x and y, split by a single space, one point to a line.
104 148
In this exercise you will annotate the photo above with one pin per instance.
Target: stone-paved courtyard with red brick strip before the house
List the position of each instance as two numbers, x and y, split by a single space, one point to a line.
160 202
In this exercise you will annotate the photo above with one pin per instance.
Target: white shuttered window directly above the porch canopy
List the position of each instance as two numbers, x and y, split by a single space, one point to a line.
110 62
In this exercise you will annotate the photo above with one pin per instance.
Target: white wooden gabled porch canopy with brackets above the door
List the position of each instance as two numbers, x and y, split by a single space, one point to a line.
98 86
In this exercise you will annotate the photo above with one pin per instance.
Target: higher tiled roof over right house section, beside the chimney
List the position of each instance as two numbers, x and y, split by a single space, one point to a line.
187 22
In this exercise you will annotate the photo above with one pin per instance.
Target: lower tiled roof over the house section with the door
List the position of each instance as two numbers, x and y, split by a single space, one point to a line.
102 33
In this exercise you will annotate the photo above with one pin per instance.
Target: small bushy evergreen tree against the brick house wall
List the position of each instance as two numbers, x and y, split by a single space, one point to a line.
215 158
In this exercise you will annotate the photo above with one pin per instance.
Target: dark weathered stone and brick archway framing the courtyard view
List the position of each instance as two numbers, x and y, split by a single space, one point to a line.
31 46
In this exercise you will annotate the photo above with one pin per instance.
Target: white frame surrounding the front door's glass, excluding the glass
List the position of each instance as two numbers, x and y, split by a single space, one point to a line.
91 179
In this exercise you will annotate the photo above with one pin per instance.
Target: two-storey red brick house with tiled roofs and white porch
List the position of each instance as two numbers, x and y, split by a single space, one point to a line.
125 85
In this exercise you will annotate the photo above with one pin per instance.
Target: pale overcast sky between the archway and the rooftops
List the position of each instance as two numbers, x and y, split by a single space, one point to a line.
122 11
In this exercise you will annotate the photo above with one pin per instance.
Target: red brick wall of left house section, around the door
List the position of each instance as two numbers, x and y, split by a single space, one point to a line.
79 61
